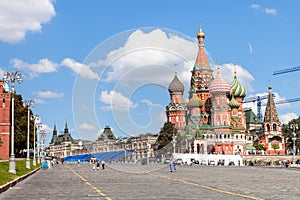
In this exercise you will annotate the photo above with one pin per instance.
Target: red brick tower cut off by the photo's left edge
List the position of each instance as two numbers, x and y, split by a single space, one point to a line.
5 106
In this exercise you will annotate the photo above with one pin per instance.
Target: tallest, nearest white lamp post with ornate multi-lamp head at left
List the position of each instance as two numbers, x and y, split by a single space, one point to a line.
12 77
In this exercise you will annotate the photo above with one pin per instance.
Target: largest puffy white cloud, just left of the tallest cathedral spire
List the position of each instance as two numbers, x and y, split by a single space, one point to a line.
146 52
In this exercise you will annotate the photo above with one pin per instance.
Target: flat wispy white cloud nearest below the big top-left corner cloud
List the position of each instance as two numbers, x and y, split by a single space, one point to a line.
33 70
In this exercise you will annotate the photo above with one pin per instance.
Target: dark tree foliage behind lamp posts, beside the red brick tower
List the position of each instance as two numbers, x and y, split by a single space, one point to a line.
21 125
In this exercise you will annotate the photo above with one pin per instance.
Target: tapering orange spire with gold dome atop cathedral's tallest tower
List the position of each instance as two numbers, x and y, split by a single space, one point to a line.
201 60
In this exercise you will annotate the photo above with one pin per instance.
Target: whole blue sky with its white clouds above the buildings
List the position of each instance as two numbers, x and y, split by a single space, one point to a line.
96 63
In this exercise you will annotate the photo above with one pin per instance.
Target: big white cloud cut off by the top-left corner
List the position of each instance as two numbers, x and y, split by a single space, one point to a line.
19 17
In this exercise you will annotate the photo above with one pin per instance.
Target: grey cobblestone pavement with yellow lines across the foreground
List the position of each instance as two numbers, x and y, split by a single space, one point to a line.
131 181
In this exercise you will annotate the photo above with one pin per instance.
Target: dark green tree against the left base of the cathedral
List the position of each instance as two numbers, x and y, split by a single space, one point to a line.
165 134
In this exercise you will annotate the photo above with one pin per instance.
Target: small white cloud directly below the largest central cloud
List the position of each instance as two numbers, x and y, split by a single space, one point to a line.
116 101
